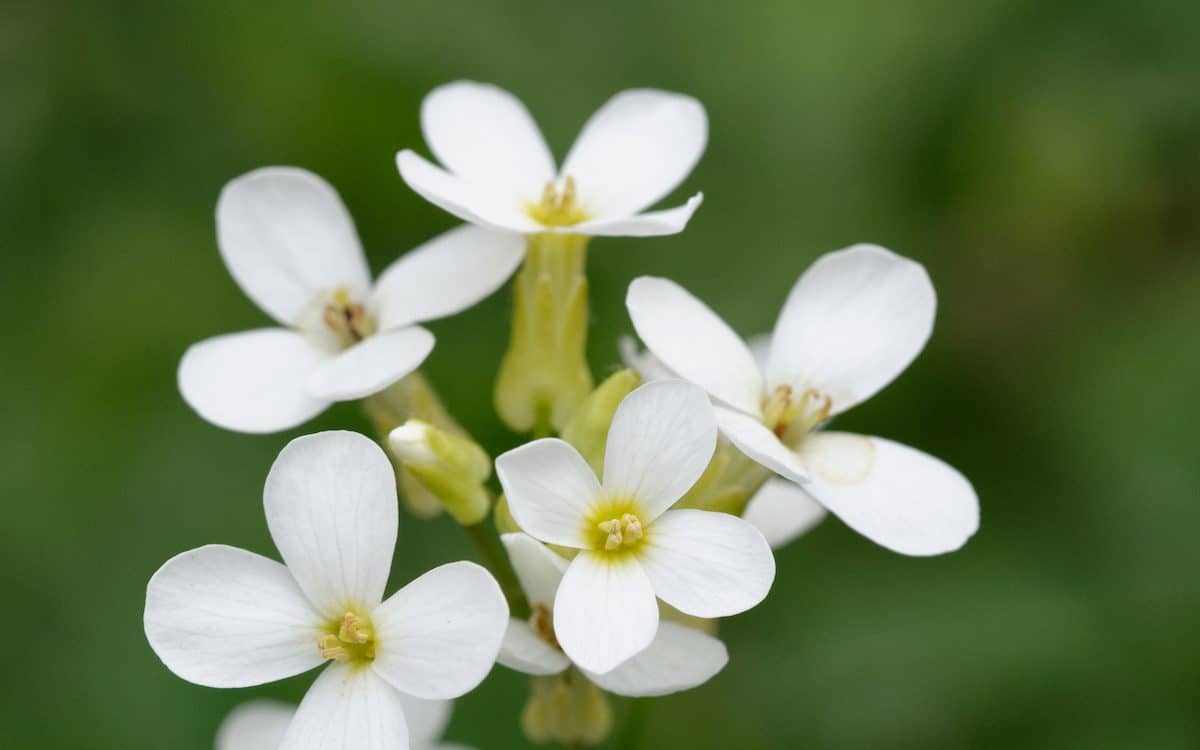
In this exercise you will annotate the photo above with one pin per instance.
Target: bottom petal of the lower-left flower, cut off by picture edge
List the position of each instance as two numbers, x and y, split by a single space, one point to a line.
349 707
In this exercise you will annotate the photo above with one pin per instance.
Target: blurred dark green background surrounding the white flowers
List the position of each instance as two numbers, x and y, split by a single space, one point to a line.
1042 159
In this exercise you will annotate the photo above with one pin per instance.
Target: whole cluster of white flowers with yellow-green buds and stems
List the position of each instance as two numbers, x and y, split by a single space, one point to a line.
615 547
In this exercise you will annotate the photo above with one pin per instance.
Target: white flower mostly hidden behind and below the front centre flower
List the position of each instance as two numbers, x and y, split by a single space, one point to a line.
680 658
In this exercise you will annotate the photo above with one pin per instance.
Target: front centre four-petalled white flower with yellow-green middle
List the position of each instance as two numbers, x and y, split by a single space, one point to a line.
632 547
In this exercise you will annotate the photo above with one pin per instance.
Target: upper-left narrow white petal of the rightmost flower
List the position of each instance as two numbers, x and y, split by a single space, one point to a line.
691 340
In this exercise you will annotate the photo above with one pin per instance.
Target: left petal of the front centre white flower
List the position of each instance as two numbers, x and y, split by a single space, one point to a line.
550 489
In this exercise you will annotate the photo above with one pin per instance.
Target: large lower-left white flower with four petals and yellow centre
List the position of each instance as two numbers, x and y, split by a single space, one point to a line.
225 617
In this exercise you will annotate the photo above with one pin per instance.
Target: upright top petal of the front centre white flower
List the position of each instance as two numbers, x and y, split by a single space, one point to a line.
662 439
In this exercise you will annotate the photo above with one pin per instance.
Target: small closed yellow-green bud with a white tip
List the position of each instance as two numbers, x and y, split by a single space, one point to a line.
452 467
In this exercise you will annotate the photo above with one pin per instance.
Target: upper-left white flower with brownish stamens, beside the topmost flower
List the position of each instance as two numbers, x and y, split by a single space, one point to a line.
291 245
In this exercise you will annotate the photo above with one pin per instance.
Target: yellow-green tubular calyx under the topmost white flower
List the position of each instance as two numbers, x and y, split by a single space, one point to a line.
544 375
